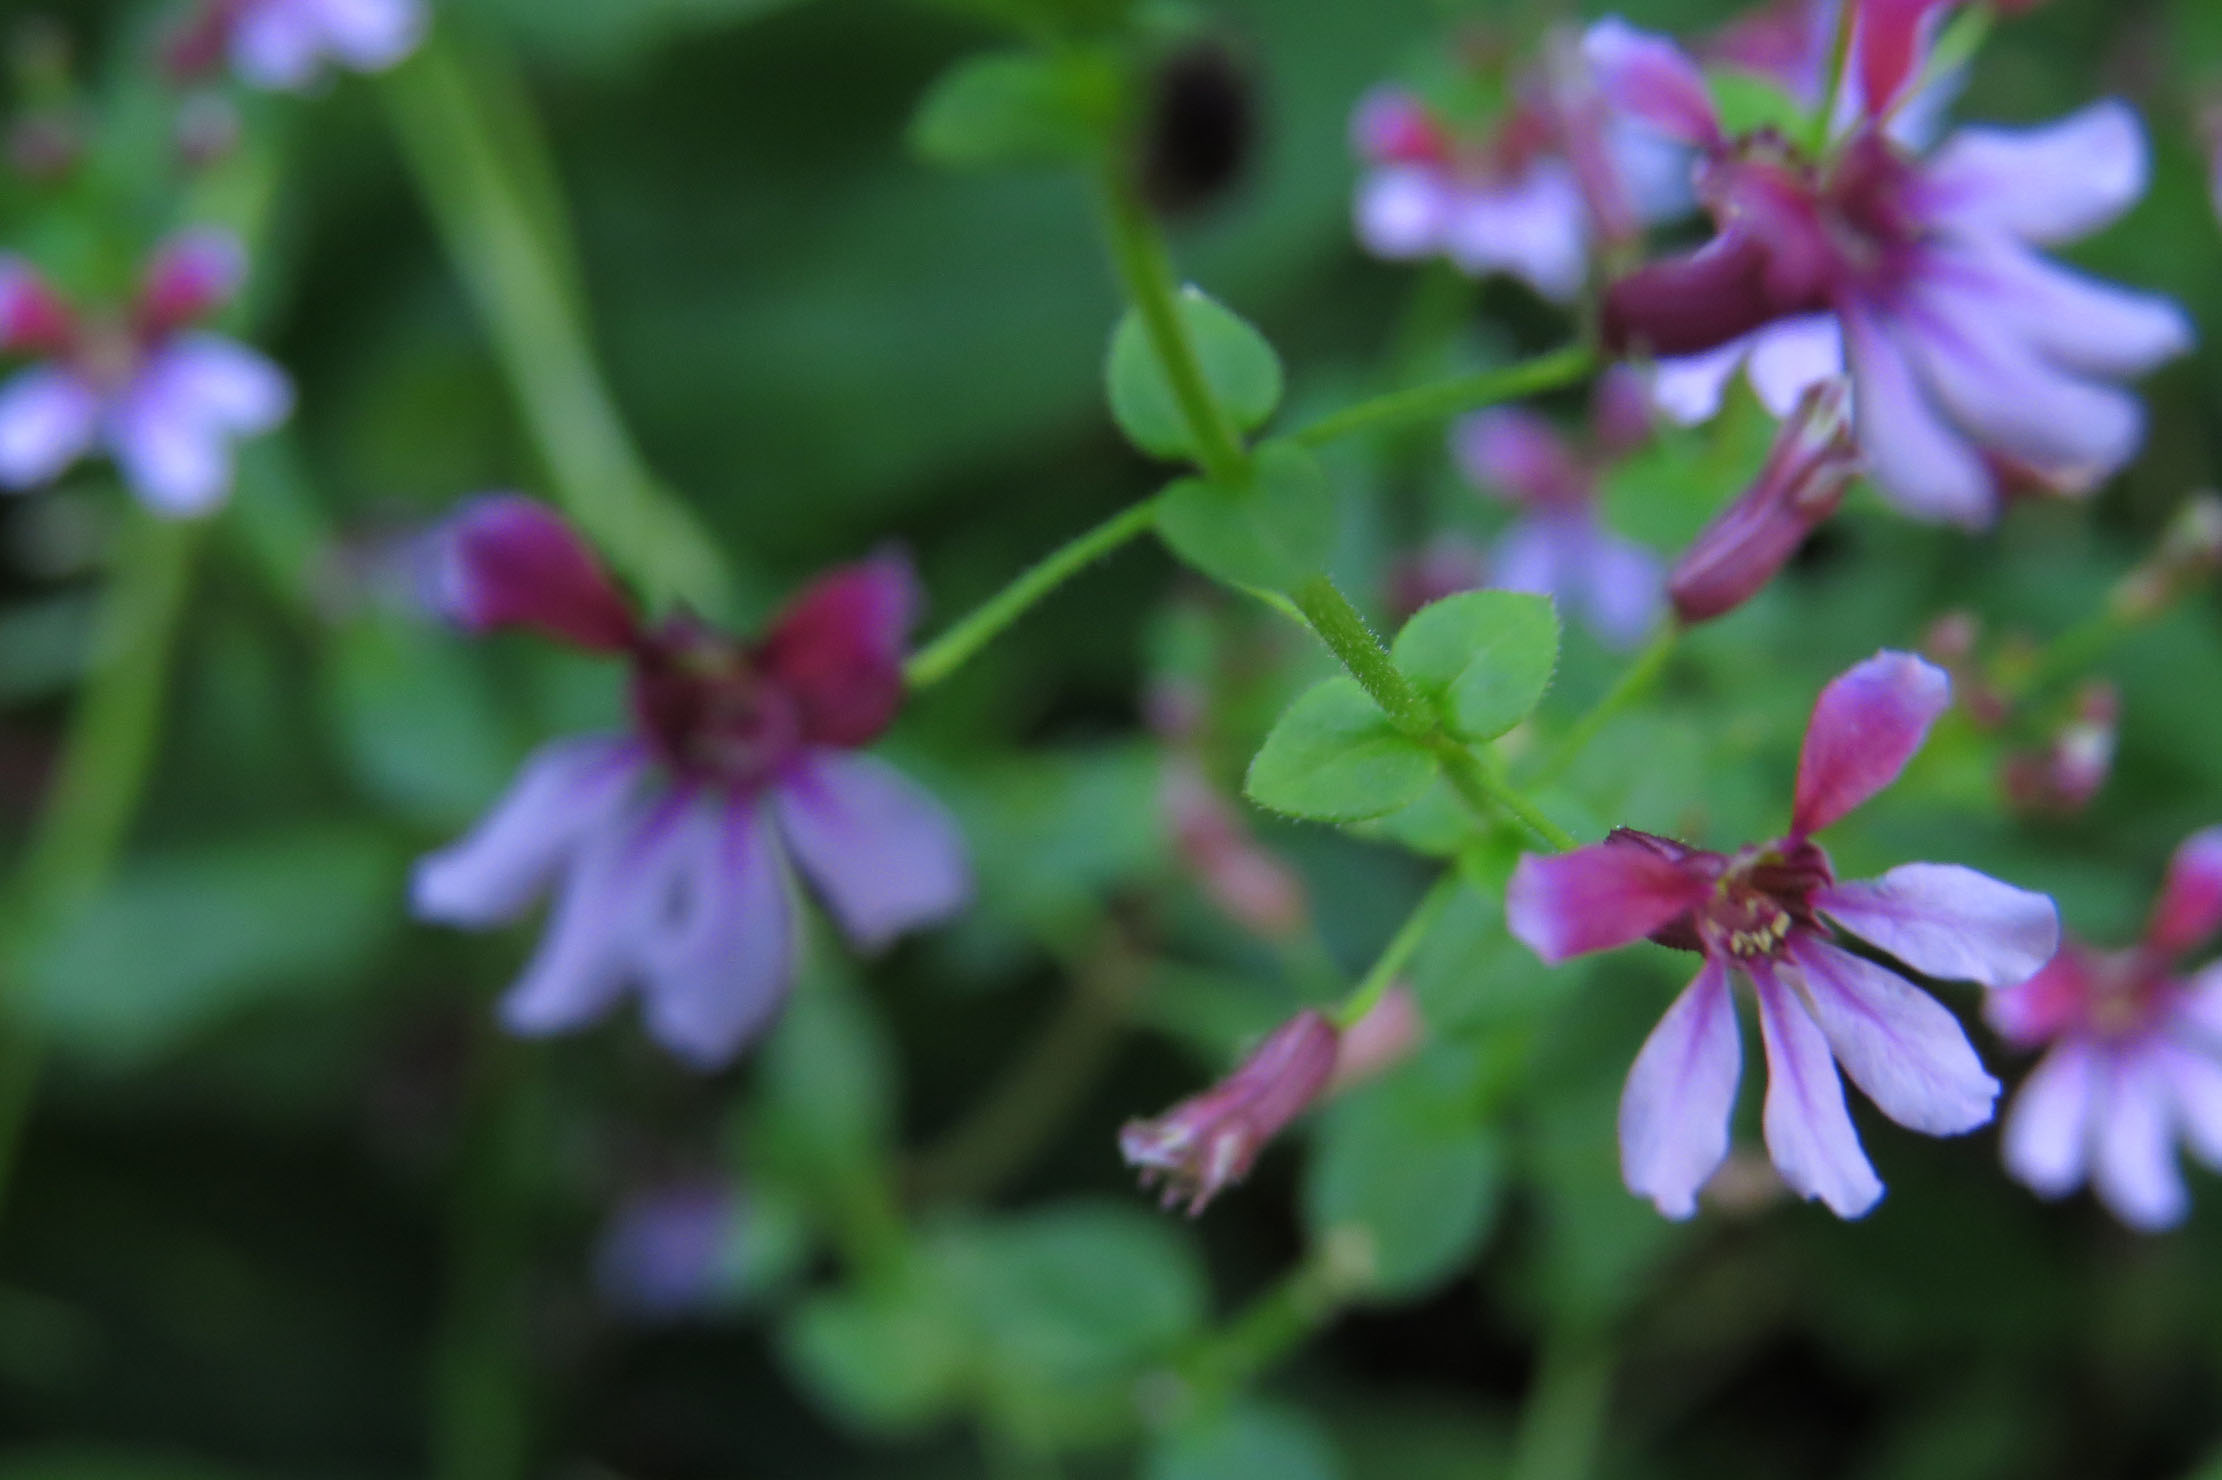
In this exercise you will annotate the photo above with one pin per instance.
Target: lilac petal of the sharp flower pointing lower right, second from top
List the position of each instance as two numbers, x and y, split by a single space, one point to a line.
1896 1043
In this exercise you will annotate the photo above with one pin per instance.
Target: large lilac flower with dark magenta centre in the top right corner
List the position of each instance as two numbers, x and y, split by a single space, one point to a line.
1979 366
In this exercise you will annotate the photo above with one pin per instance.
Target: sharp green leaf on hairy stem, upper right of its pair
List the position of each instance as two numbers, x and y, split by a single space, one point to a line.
1483 657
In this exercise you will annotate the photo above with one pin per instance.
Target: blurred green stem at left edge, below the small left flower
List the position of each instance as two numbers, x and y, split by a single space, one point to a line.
103 774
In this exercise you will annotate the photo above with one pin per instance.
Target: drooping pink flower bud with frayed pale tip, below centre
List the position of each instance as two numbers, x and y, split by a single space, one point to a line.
1210 1141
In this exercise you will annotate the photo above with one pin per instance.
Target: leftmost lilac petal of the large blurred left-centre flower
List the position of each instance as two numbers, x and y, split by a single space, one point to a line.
494 874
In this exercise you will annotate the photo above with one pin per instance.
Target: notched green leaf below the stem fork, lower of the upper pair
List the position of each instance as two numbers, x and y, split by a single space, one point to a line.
1270 534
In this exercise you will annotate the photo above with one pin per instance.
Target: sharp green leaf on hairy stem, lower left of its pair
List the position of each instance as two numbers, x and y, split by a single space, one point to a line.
1334 757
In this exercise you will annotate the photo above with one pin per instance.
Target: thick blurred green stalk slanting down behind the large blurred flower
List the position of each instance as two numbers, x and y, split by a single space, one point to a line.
492 197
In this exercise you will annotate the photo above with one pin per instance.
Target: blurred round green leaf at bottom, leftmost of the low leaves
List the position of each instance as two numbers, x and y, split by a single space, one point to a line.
888 1359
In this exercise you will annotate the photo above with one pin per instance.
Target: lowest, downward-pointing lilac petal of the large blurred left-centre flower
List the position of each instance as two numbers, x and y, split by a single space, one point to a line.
719 957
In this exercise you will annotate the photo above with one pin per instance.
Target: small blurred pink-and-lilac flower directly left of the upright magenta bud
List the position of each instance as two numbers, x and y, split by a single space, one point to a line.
1559 546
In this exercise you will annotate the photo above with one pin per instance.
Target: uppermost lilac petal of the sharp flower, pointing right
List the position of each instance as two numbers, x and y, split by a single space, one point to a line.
1950 923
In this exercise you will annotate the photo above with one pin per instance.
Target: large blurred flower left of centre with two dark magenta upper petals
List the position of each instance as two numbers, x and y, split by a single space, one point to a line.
668 848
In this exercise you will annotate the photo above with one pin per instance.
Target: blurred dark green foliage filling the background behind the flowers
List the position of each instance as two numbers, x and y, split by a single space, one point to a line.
290 1208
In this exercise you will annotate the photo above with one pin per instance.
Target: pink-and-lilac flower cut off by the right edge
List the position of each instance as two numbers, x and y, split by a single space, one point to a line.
2136 1057
